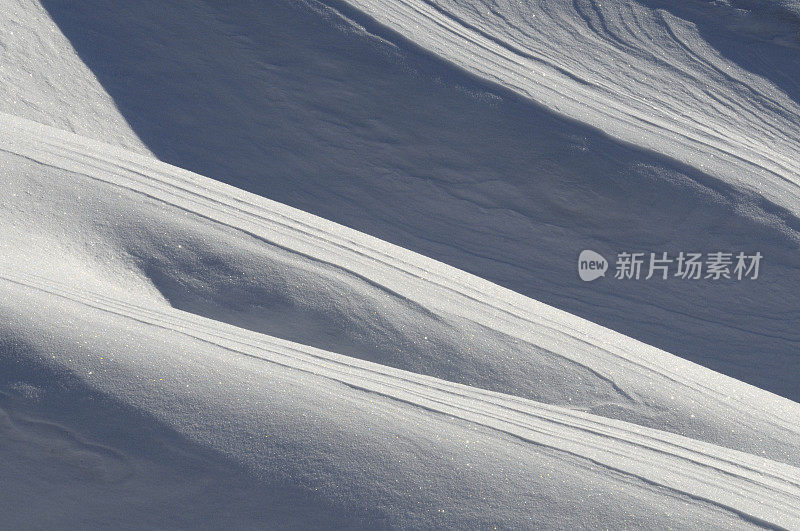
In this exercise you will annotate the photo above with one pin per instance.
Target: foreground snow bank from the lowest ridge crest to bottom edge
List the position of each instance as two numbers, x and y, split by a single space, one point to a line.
356 444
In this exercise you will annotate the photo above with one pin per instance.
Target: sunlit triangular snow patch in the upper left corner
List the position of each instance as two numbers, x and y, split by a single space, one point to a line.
43 79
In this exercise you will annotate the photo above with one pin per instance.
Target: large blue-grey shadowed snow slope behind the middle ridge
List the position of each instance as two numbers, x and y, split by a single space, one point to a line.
459 170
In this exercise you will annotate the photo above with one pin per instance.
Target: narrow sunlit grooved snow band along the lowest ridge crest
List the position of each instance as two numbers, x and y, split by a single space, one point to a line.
761 491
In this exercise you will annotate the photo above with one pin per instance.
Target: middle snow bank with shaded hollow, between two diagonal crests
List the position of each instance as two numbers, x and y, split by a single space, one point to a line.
158 234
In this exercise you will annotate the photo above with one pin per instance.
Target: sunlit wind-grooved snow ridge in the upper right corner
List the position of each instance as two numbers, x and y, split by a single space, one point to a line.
636 72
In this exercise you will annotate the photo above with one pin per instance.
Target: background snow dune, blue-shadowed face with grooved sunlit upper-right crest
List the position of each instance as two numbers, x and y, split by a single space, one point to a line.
506 175
